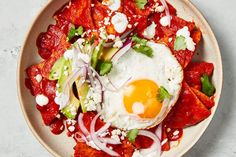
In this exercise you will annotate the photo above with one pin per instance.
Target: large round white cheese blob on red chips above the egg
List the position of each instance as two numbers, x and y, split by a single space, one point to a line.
120 22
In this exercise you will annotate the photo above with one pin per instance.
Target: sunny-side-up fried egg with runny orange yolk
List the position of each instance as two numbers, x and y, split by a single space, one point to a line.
138 77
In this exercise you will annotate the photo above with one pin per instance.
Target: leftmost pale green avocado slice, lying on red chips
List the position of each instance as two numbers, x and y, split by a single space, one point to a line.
56 71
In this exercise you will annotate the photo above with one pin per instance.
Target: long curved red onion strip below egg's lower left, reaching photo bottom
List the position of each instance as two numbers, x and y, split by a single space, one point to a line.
96 141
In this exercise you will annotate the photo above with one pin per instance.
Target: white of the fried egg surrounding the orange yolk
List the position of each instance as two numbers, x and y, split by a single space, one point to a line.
162 68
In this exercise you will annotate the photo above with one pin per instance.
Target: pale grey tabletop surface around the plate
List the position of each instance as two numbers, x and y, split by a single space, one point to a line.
16 140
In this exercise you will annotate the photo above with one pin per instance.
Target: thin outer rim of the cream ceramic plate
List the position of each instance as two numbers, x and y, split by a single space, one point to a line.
19 85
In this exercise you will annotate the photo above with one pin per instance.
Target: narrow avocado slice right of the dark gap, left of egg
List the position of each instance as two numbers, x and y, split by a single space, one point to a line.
83 92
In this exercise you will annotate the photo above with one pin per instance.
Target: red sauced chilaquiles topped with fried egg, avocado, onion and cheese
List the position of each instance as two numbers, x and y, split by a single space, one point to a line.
119 76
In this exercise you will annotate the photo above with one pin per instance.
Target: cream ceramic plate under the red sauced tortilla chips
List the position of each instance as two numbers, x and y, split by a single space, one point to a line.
62 146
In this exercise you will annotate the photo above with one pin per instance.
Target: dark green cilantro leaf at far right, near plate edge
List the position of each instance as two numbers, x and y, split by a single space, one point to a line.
207 87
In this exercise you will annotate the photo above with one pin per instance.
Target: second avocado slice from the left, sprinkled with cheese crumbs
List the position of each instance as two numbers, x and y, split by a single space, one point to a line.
61 81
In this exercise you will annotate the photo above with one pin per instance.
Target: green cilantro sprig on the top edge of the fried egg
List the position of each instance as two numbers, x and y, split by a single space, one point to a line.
140 46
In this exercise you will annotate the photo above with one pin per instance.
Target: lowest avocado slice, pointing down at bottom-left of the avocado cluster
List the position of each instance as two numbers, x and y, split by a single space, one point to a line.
70 111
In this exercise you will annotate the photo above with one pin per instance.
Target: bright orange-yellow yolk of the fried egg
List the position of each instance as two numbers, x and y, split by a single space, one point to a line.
140 98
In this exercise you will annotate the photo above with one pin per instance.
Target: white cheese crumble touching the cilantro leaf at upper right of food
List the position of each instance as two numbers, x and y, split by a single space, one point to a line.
189 41
